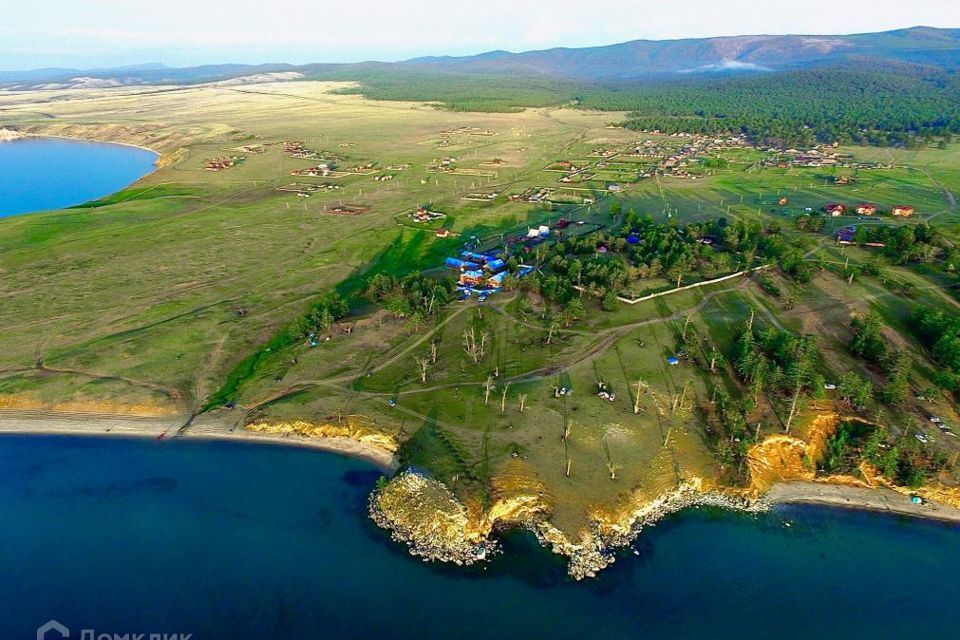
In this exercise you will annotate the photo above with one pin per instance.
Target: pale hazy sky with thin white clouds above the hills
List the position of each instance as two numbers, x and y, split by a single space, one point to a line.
91 33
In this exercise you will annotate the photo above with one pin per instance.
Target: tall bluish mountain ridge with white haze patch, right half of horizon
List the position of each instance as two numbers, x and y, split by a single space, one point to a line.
919 45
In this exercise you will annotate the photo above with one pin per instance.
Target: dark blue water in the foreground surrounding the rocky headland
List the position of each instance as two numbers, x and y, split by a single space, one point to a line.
229 540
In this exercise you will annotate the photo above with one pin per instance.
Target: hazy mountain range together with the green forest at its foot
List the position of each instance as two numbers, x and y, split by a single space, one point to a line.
896 88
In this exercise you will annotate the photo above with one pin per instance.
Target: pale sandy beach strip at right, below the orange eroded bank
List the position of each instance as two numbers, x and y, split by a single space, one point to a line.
880 500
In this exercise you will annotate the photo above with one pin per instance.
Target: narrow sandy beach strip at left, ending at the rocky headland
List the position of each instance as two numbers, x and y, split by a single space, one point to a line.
48 423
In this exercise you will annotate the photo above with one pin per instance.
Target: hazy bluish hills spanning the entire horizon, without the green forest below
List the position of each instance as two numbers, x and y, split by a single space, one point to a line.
926 47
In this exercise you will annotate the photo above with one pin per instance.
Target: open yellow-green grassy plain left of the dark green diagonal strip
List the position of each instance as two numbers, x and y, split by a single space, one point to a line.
174 281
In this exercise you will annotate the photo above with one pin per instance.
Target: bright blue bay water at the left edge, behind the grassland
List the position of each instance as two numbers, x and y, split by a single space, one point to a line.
40 174
